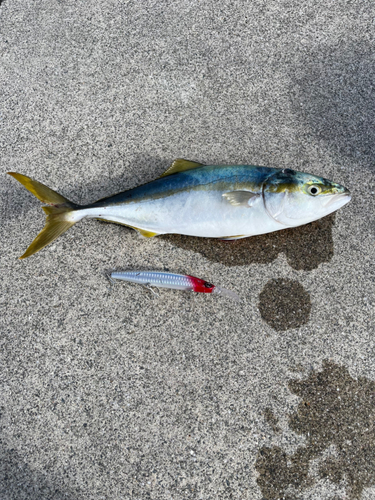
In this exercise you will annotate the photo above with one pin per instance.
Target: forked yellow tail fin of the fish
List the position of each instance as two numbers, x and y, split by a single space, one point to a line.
61 214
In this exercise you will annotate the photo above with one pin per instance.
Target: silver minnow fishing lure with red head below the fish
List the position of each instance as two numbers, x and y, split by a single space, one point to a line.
182 282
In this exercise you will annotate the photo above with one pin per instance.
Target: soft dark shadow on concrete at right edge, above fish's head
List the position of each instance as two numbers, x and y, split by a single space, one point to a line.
333 91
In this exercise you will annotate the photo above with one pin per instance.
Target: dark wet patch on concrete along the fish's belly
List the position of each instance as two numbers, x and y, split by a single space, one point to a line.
305 247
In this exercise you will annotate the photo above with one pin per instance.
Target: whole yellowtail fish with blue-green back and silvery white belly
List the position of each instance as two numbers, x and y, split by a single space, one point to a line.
213 201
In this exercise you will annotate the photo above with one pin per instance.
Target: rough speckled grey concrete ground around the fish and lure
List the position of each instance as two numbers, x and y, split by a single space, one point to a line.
114 394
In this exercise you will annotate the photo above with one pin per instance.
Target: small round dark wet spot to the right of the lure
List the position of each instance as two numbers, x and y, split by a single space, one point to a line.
284 304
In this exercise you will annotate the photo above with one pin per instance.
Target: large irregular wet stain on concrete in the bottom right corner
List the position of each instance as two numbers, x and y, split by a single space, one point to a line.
335 411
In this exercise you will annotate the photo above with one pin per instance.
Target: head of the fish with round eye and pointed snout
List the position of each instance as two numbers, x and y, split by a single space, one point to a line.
296 198
